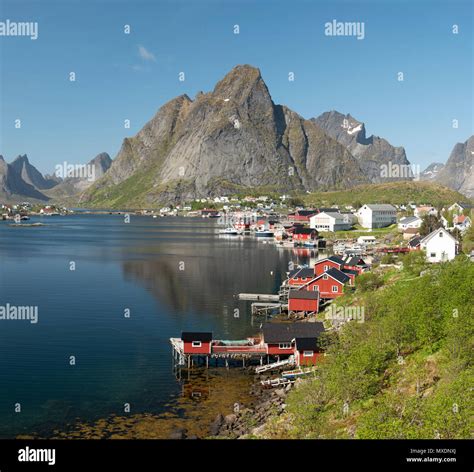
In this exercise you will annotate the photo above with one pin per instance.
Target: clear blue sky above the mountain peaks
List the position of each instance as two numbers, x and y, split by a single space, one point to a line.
74 121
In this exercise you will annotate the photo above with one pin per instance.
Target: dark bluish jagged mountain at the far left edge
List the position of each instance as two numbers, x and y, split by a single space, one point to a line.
12 185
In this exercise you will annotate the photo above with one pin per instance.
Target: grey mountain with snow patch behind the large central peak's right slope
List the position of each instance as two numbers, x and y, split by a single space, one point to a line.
371 152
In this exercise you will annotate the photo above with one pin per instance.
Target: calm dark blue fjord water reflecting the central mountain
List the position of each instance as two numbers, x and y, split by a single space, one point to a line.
81 313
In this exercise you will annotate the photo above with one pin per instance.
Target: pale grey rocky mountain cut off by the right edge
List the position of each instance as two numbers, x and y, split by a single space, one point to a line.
458 173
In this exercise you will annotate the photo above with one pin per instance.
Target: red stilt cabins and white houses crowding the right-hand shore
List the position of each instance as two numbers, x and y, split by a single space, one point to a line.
292 324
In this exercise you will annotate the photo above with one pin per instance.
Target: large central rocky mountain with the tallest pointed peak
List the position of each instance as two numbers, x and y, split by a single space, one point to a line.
228 140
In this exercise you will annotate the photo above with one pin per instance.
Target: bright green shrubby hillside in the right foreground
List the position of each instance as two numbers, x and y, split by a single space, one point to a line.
405 372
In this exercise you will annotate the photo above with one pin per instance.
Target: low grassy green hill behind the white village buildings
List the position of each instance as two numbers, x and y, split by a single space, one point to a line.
392 192
